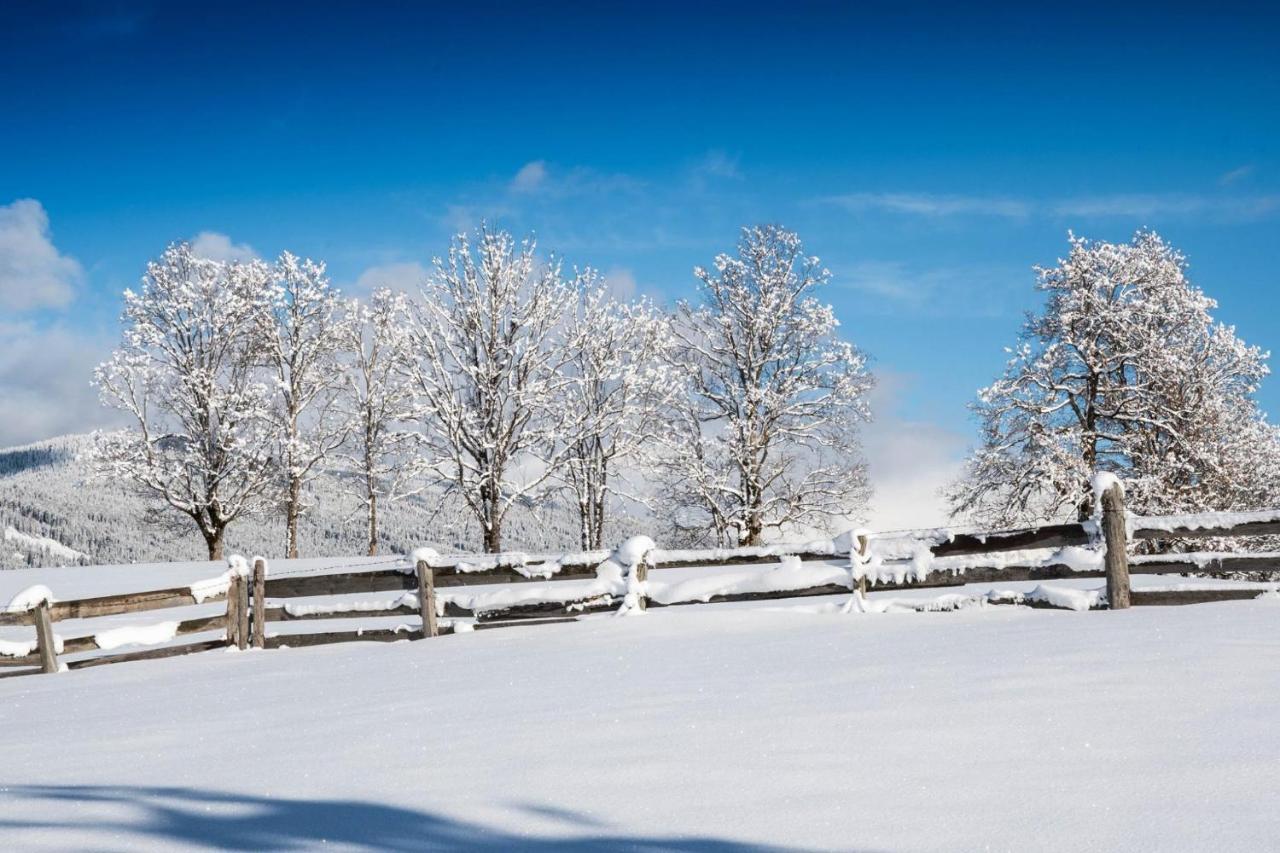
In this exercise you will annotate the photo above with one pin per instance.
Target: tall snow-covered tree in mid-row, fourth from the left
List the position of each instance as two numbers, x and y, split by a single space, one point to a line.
487 372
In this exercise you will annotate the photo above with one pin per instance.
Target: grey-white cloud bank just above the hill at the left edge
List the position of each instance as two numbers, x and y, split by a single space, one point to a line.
45 385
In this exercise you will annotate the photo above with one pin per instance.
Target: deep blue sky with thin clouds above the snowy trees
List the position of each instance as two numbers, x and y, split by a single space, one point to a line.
931 156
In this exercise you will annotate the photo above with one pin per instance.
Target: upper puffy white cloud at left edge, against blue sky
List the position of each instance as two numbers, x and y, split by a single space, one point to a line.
34 275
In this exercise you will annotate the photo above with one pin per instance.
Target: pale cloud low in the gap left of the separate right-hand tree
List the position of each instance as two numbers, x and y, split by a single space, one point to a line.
911 462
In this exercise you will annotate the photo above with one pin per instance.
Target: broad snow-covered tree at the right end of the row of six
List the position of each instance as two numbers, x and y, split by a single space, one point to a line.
767 436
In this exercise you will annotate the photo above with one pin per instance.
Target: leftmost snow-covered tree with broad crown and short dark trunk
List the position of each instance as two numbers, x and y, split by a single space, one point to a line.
202 437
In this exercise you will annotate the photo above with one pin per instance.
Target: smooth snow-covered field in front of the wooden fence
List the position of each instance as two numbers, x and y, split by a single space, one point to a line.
711 729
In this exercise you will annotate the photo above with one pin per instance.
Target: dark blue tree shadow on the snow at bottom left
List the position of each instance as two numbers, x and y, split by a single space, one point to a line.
212 820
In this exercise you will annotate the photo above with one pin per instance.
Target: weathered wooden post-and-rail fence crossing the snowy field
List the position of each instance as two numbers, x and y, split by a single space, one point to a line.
254 600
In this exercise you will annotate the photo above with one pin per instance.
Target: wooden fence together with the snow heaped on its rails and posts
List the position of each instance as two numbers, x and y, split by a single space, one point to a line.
436 596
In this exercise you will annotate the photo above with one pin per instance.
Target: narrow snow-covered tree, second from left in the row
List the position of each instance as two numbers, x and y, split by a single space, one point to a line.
301 339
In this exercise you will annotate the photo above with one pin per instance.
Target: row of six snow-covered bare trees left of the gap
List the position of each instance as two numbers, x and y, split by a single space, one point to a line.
505 381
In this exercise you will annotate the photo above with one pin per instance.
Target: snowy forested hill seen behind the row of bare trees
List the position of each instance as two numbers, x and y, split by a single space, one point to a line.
53 514
